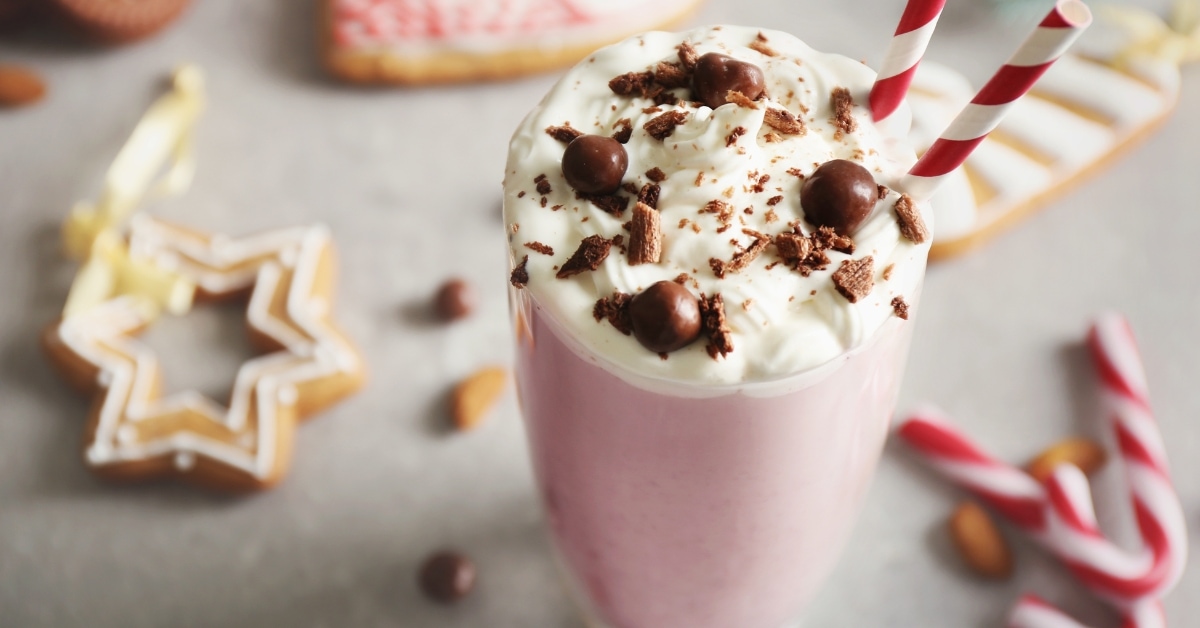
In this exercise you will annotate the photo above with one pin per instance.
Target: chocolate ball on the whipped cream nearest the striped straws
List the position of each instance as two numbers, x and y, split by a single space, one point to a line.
841 195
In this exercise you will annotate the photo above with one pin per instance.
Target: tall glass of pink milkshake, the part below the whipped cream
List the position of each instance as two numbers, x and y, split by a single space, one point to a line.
676 506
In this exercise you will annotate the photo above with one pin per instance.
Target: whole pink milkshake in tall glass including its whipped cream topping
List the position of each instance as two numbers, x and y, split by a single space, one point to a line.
712 289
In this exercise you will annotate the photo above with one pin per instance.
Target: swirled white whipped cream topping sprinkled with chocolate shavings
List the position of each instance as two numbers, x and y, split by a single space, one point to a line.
783 324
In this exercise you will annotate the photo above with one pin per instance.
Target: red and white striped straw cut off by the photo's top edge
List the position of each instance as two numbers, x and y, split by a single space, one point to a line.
904 55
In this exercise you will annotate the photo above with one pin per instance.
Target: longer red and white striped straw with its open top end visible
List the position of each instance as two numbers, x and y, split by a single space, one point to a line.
1048 43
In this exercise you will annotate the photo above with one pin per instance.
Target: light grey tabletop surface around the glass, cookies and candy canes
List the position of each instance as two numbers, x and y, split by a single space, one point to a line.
410 183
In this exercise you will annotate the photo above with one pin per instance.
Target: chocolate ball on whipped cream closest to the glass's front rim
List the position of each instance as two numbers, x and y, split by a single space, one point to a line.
665 318
